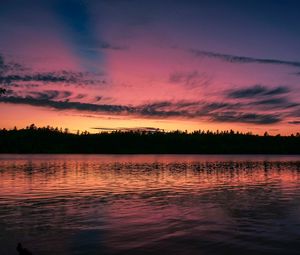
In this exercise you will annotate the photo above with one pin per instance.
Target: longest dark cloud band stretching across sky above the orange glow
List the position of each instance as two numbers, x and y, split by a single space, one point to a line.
217 112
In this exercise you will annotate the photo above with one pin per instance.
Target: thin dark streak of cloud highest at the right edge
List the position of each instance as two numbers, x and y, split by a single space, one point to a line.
242 59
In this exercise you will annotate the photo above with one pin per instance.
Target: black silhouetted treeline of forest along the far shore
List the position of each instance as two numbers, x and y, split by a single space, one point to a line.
54 140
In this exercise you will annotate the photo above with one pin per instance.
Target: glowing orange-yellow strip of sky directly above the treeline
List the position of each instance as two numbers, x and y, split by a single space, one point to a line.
74 121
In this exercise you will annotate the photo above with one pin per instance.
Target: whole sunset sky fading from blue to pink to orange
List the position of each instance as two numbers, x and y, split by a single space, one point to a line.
139 64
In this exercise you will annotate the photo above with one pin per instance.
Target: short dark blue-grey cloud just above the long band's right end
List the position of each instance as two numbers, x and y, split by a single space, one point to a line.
257 90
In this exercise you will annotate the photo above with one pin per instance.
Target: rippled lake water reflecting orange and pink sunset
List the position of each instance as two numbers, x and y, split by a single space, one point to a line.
168 204
